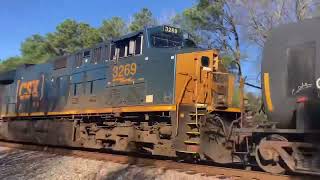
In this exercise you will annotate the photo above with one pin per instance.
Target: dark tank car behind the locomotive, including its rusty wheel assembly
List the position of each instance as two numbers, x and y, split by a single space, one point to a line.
290 71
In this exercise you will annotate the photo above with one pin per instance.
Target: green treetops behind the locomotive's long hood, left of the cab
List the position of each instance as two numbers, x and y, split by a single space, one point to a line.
71 36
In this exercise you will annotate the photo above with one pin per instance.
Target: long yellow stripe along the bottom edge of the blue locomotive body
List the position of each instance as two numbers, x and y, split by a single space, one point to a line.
101 110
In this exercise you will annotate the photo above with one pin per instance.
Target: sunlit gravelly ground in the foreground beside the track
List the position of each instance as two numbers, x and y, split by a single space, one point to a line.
21 164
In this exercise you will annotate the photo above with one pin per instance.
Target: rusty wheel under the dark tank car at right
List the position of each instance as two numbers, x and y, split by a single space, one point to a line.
268 159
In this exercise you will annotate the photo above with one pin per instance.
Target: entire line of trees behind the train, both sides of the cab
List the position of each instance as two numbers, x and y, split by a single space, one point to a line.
221 24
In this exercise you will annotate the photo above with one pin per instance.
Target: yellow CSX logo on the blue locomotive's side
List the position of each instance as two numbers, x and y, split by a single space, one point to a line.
28 89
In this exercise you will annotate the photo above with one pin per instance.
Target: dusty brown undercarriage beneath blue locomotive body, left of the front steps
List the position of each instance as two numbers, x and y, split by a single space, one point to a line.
125 132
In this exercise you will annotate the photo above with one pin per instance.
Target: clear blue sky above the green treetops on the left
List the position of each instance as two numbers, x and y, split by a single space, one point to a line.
20 18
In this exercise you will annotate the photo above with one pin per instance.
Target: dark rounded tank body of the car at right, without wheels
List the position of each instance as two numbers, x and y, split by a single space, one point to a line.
290 74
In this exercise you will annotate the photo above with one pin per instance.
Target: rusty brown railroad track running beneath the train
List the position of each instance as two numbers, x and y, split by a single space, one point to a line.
217 172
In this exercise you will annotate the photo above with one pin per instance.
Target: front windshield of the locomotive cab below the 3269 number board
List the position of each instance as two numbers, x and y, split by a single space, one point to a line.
165 40
